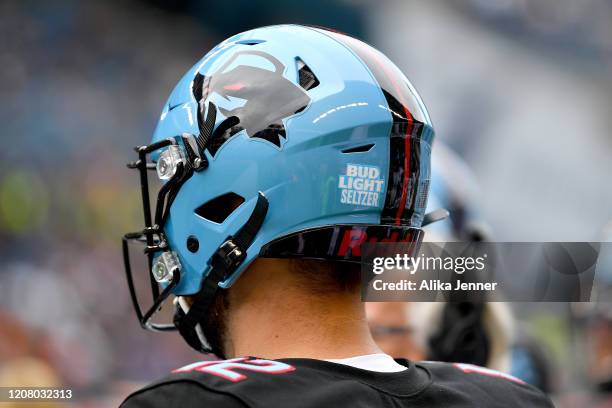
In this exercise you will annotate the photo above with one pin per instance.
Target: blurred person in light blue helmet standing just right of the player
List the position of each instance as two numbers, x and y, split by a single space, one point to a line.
478 332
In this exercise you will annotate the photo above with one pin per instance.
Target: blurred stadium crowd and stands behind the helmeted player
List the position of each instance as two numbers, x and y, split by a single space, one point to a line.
521 89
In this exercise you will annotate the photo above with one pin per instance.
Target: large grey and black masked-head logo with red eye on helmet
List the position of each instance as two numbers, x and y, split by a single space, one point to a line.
269 98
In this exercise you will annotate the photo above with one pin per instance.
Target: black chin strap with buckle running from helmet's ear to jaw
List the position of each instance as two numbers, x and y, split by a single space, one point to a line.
226 259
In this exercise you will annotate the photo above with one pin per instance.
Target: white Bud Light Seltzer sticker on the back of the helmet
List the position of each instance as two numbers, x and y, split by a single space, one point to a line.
361 185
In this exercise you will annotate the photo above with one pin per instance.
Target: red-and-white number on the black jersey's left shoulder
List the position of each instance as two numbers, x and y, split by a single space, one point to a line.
224 368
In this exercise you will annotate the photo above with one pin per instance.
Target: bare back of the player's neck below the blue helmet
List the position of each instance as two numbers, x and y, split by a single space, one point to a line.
279 322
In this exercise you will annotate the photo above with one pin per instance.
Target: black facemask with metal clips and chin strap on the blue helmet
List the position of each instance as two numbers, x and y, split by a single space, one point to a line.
177 160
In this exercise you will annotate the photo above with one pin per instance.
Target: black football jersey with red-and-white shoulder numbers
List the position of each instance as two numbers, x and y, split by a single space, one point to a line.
252 382
